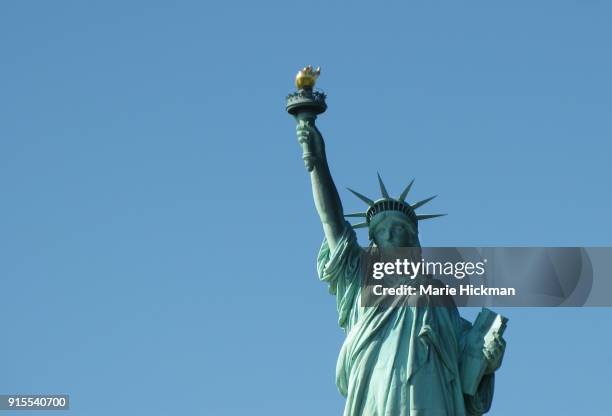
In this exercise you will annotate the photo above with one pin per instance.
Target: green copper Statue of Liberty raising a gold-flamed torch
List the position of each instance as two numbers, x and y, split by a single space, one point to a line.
397 361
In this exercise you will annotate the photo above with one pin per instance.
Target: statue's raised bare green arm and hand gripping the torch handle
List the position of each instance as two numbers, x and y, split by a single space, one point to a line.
327 200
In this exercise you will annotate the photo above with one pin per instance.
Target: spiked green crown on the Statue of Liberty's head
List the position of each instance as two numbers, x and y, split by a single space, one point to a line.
386 203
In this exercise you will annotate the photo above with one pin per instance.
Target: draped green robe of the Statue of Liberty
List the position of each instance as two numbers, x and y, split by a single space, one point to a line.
398 361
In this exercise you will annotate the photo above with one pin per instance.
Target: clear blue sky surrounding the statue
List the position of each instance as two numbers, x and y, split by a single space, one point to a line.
157 233
